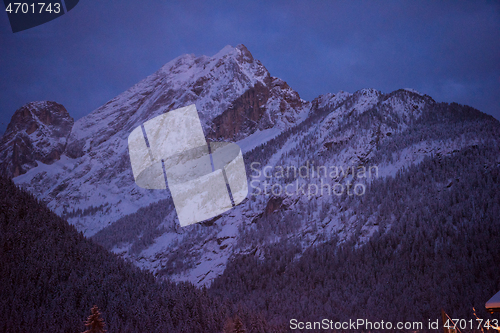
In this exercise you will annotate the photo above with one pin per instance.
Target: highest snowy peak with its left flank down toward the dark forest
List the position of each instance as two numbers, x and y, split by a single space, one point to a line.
235 97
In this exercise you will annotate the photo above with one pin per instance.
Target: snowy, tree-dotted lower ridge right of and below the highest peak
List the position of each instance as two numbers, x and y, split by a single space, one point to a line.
358 138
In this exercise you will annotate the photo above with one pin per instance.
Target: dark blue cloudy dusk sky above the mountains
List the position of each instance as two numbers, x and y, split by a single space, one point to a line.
448 50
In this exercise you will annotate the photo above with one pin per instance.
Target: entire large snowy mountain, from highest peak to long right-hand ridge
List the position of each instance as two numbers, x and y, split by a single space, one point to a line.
275 128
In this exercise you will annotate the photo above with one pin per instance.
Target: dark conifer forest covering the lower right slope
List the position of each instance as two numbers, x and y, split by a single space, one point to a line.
436 246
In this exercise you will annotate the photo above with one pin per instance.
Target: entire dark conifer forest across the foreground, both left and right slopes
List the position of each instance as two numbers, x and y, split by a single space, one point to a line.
440 251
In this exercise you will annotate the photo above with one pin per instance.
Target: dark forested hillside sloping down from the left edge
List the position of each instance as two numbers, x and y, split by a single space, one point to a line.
51 276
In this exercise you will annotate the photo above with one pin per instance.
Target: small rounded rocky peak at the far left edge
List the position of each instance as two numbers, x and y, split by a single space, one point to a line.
38 131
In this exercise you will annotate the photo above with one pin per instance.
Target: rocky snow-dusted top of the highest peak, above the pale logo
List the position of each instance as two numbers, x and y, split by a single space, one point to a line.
231 91
